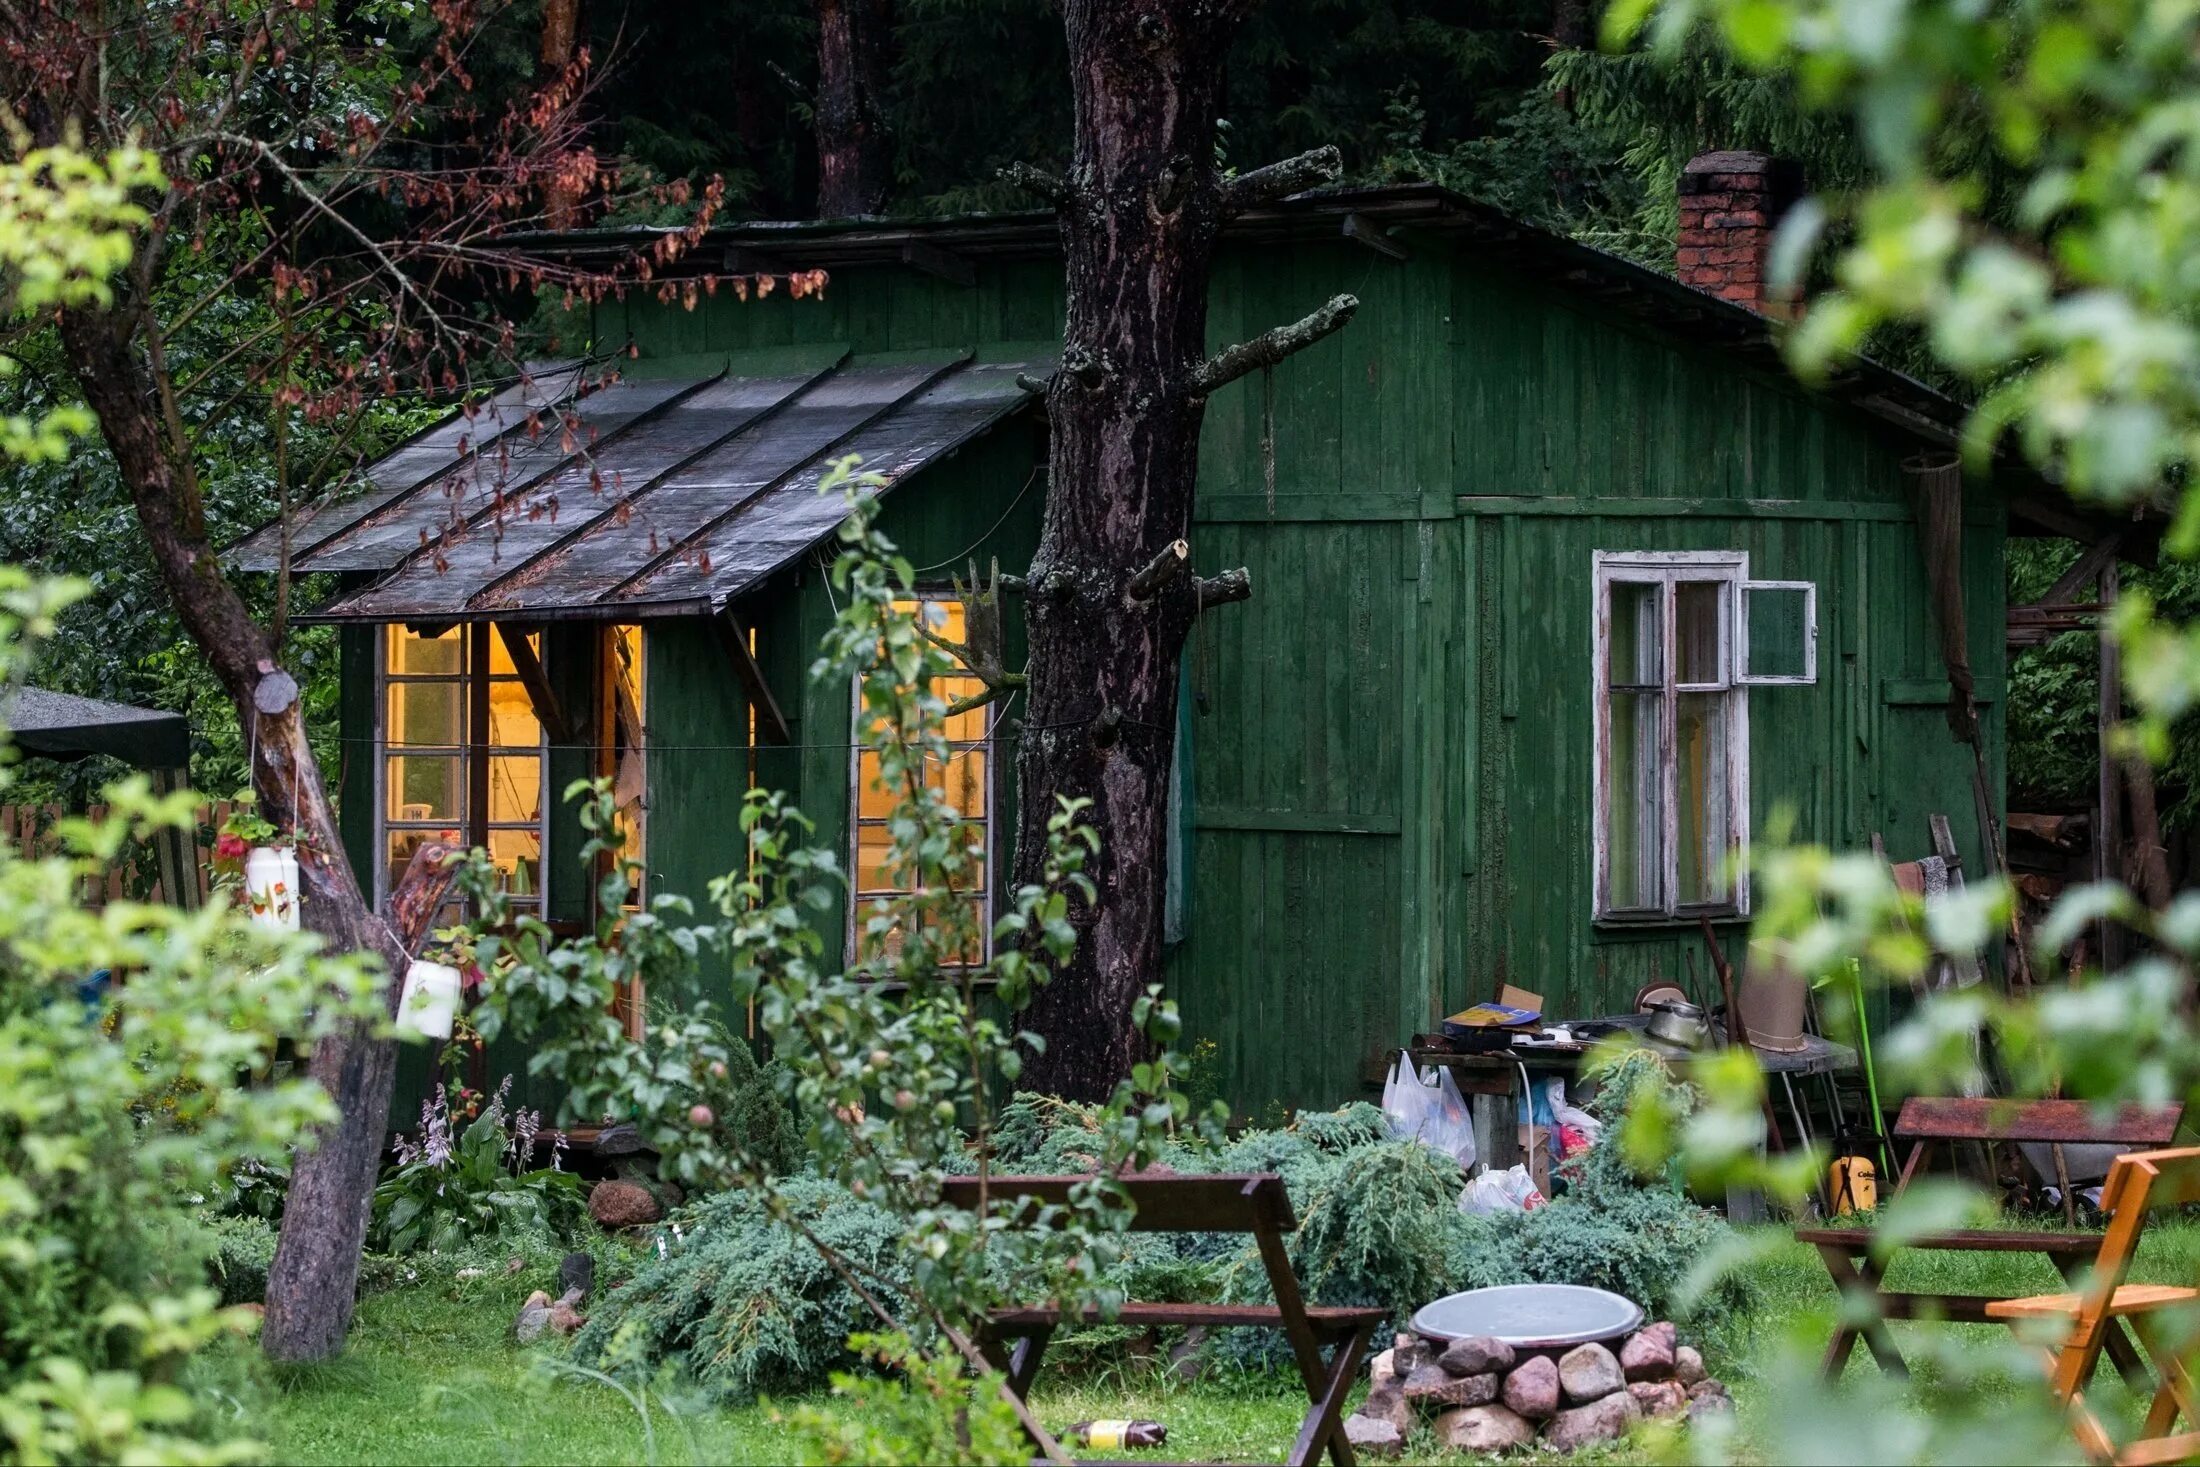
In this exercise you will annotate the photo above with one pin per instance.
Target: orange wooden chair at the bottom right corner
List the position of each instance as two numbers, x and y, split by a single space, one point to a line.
2137 1184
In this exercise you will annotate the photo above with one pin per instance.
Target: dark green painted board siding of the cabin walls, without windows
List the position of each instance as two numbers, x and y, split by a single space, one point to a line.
1391 804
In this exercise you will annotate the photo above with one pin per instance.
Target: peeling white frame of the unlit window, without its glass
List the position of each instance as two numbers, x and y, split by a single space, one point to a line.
1666 569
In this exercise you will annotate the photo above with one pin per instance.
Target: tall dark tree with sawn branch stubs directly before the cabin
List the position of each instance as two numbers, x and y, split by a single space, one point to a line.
1112 593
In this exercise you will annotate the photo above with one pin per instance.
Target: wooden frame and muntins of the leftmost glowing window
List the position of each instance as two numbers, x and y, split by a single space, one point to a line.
474 755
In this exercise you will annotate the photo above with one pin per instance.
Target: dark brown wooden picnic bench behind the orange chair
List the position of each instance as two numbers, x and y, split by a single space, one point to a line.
1926 1123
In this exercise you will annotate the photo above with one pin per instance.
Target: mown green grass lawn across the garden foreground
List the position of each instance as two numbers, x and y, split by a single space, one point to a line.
432 1376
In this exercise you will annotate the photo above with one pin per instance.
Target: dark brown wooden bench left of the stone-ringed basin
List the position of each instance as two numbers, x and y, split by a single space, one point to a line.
1246 1204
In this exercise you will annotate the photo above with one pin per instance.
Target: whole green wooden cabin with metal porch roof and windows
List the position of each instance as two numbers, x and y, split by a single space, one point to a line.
1510 687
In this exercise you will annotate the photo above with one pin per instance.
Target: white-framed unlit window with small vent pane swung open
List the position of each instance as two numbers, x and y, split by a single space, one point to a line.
1680 641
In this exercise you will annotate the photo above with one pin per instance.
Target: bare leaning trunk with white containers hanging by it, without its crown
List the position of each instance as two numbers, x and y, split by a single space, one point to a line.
316 1275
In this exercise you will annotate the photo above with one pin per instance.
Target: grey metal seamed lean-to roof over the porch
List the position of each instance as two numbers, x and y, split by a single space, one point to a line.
577 498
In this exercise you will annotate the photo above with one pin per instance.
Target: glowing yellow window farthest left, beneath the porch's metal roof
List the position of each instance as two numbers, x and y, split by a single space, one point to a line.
463 753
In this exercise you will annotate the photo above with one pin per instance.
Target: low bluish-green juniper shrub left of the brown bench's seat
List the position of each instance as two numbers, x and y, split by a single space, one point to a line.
742 1301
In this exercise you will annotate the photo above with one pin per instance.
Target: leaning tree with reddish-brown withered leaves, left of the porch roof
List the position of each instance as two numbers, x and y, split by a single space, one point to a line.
287 144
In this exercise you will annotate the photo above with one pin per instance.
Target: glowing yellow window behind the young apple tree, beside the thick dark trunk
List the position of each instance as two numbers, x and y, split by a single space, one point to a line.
967 782
